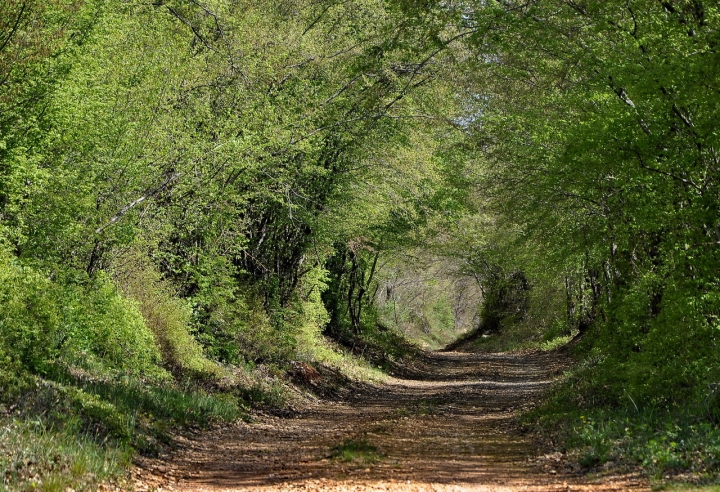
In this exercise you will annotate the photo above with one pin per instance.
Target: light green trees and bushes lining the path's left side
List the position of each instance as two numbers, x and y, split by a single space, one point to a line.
174 180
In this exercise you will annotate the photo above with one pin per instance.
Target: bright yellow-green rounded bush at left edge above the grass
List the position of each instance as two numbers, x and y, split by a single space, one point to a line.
43 322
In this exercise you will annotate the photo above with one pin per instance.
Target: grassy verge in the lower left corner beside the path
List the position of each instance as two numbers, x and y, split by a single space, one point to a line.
74 431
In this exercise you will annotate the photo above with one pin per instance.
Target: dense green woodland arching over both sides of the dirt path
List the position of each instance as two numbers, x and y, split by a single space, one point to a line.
196 193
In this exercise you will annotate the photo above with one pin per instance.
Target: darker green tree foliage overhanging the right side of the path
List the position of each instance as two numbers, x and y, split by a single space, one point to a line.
600 150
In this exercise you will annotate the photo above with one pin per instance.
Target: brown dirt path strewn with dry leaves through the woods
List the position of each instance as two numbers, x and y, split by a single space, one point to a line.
450 426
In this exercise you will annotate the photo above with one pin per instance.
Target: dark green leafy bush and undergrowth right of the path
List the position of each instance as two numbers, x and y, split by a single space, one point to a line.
645 391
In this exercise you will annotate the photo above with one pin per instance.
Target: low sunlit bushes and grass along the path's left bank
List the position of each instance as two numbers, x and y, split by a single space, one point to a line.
94 371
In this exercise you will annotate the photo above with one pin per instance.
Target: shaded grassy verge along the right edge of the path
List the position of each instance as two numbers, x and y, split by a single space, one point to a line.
678 448
